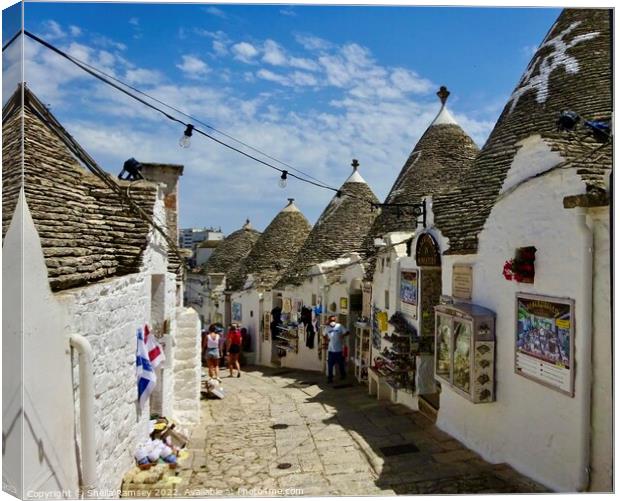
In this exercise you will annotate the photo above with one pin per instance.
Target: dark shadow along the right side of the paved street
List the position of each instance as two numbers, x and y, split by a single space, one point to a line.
406 451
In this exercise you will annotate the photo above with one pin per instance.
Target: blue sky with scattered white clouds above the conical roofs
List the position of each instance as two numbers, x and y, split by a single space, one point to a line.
311 85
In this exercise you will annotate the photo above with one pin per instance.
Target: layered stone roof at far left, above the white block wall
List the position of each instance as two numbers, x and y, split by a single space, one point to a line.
87 234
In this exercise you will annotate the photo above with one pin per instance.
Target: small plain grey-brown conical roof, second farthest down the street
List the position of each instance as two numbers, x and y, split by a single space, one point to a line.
274 250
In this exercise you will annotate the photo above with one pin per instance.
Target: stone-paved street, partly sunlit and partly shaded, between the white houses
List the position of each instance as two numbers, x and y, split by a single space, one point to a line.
286 432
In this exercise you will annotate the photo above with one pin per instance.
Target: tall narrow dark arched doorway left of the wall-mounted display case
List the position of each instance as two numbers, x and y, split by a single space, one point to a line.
428 260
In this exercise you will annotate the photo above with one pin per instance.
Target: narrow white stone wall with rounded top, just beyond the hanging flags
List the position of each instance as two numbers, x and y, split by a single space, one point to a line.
187 367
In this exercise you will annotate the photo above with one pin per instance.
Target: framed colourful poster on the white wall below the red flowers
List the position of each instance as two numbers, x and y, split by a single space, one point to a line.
544 341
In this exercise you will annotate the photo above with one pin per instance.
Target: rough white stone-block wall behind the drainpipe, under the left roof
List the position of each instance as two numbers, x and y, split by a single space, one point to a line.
107 314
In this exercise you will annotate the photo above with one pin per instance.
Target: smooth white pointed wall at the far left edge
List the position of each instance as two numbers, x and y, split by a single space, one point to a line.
47 426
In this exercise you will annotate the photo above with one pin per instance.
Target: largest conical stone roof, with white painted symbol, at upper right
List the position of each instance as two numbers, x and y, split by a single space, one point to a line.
571 70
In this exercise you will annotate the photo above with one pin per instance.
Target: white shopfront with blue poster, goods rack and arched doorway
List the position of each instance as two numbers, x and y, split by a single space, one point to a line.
406 288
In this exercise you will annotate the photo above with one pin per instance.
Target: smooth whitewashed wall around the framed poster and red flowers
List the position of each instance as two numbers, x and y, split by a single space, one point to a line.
531 427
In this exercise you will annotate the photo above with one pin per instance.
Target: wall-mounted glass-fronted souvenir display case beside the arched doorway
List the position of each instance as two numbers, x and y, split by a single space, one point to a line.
465 350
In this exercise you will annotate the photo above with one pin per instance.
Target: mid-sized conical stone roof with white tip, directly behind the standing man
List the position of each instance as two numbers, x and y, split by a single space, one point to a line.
340 229
